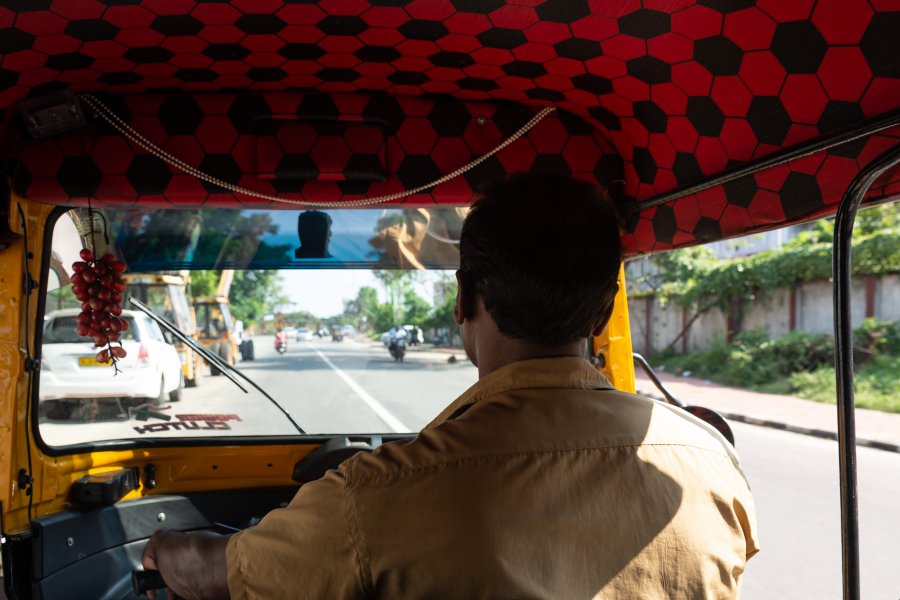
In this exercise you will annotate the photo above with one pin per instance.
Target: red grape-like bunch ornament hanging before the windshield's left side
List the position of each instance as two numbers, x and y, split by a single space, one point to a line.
98 284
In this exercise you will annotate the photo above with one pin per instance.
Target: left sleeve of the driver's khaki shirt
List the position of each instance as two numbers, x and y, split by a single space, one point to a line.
302 551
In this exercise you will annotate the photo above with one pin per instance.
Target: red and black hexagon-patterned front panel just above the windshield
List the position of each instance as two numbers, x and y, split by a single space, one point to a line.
425 139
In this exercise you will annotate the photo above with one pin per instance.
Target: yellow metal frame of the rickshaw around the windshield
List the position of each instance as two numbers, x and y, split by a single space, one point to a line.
183 469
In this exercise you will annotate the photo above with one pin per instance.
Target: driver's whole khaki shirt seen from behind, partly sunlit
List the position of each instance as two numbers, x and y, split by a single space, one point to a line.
540 481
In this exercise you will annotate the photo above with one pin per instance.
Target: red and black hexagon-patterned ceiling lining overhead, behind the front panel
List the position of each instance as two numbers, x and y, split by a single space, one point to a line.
682 89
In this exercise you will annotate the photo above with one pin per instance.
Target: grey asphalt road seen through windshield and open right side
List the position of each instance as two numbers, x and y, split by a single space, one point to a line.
355 387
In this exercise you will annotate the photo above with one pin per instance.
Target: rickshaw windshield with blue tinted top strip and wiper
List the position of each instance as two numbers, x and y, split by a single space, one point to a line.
334 369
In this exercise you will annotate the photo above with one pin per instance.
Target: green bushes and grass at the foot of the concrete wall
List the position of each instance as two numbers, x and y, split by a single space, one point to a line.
801 364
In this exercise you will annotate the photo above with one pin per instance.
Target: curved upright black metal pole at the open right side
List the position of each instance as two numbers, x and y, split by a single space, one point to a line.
843 360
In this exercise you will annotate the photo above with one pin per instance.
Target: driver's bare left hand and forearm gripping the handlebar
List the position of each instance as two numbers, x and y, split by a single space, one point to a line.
192 564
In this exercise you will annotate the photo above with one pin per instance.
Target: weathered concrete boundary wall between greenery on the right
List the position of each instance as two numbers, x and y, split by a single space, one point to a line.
807 307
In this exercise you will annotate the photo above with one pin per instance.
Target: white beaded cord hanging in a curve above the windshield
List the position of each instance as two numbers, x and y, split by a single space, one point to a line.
135 137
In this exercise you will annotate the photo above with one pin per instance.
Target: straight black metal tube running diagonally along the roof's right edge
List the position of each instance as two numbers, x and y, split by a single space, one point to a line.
843 136
